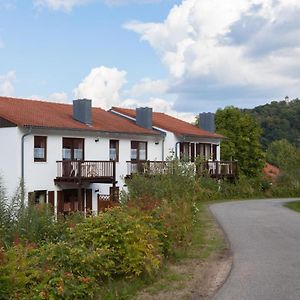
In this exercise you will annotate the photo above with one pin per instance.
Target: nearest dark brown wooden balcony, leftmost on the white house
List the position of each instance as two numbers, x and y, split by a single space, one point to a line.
85 171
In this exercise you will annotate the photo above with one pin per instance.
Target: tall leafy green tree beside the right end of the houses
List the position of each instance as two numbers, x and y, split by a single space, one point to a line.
242 140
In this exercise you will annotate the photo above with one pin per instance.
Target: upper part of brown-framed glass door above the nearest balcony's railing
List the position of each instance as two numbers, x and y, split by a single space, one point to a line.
73 149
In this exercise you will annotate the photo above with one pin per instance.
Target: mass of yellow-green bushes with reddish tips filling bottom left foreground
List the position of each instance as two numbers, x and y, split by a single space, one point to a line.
122 242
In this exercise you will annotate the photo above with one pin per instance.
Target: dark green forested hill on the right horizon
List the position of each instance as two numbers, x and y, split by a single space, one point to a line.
279 120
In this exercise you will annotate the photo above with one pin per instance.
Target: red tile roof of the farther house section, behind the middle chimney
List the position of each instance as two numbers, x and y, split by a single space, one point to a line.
171 124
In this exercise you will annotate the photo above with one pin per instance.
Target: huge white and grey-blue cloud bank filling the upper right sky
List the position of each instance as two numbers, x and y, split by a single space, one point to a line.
228 49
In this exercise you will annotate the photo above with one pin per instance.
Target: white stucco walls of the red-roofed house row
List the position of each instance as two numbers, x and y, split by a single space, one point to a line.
41 175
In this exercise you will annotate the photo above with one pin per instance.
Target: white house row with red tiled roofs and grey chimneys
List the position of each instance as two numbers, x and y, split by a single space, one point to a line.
74 156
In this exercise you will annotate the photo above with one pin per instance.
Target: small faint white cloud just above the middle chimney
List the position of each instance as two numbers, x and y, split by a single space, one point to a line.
148 86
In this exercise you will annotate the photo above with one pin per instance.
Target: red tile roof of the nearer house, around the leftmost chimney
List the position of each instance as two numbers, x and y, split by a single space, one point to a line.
25 112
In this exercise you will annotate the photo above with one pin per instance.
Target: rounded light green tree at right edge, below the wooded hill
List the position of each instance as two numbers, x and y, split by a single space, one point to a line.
283 154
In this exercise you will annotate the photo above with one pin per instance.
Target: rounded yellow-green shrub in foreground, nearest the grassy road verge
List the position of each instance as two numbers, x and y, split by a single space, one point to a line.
126 237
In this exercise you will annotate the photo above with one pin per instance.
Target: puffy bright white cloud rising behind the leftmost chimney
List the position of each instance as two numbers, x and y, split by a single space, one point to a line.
103 86
